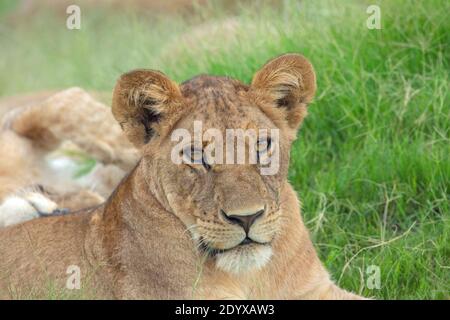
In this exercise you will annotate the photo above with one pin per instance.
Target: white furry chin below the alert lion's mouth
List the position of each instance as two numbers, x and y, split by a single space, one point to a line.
244 258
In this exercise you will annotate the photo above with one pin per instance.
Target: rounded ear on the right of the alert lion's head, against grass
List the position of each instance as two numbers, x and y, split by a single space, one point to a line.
289 82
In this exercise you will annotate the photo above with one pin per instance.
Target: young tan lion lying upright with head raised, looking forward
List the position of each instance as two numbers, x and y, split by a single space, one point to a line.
191 230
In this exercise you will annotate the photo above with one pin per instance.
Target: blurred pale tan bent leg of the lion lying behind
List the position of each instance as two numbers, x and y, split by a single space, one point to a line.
74 115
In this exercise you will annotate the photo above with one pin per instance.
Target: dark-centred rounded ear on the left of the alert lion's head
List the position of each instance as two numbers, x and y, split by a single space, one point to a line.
141 99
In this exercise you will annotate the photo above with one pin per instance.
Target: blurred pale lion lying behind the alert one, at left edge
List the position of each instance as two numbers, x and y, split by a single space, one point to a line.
34 125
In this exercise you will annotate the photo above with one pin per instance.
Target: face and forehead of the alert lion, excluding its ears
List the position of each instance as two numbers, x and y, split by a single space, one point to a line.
231 209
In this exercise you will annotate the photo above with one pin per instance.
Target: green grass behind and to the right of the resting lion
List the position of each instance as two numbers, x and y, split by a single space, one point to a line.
371 164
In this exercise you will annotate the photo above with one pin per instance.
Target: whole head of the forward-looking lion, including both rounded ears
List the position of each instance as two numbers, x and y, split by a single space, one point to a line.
230 206
